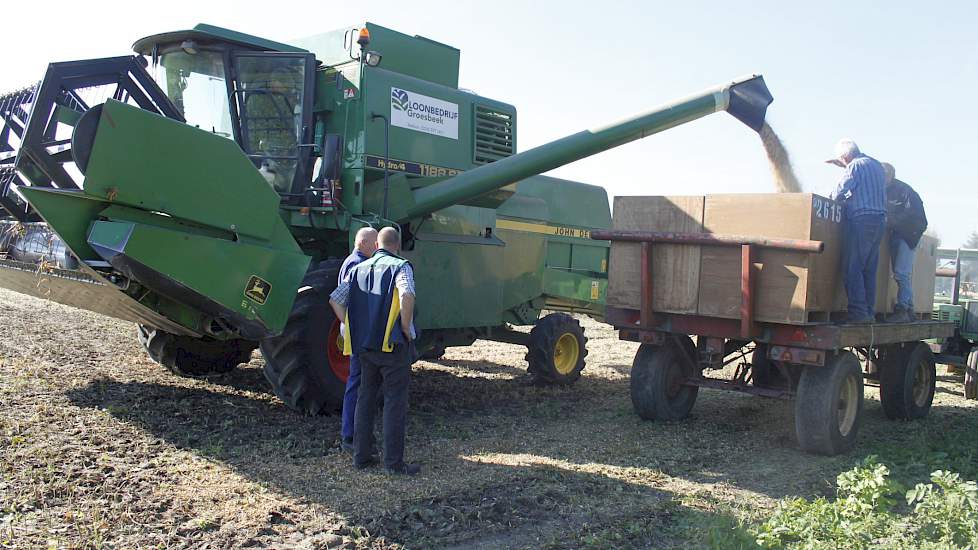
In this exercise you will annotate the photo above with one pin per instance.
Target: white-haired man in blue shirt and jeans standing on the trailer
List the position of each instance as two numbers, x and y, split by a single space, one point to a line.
862 191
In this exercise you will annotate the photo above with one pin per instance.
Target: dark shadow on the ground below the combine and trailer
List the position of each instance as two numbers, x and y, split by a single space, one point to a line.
474 436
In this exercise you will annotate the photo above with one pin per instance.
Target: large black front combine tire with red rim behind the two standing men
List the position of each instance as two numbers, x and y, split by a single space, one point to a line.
305 364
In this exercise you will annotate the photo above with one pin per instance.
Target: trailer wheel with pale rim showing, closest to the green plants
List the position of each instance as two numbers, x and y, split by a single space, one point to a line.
829 405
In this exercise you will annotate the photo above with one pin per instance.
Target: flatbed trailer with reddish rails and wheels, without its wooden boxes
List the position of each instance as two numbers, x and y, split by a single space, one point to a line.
817 364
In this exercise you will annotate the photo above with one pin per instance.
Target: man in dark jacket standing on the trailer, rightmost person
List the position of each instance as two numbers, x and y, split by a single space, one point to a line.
906 221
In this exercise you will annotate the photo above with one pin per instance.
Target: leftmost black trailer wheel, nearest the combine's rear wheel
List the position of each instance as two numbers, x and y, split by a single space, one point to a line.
656 380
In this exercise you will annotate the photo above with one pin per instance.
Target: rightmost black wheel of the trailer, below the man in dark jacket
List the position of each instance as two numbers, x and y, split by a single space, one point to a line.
907 381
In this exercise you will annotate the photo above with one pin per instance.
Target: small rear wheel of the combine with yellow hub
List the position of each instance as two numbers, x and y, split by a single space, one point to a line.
556 350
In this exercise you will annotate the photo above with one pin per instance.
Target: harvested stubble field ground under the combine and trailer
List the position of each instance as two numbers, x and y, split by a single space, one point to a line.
101 448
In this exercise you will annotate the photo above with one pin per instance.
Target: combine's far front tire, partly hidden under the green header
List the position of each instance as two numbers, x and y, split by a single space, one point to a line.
194 357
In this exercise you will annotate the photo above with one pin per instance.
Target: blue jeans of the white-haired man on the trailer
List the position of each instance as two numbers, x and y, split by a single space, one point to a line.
861 252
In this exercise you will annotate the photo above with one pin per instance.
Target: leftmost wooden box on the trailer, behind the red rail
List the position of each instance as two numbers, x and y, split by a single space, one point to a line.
676 268
